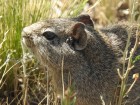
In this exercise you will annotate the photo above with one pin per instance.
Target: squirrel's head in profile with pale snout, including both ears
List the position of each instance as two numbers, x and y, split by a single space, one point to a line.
49 39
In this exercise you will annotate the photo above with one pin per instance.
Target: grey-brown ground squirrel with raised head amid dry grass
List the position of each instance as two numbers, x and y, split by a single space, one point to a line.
91 56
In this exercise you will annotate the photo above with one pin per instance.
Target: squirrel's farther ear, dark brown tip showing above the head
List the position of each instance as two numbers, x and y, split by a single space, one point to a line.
85 19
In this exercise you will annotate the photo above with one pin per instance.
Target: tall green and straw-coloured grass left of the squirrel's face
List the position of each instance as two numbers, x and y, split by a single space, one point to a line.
14 15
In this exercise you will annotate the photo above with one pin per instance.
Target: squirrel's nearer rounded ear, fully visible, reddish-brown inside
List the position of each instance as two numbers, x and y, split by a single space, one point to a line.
77 36
